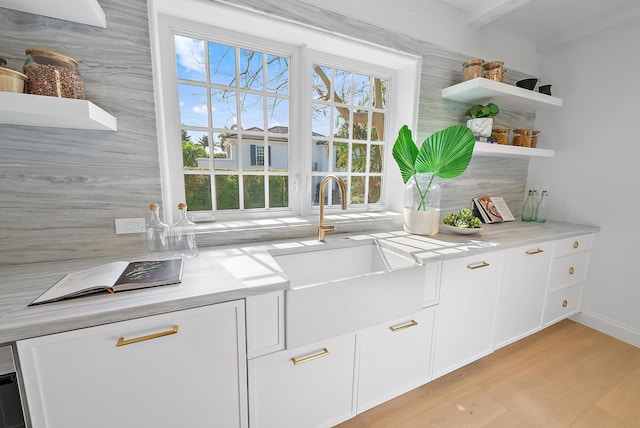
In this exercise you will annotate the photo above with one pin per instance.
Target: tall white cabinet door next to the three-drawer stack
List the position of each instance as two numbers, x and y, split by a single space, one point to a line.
523 292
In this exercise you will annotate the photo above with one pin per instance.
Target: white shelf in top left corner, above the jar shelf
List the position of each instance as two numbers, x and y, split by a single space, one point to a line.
82 11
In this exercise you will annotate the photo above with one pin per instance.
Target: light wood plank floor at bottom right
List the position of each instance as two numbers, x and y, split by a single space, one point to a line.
567 375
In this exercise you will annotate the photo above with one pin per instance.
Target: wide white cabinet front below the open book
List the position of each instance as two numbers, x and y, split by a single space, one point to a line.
179 369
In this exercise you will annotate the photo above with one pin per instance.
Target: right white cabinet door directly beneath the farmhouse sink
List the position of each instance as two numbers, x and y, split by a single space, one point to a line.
394 358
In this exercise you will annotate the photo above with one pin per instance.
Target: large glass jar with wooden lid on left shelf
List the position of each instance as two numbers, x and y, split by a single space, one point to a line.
52 74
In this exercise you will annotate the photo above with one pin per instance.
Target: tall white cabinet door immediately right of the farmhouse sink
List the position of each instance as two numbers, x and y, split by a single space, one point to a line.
466 313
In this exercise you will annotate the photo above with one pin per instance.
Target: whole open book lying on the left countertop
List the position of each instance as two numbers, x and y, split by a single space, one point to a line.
114 277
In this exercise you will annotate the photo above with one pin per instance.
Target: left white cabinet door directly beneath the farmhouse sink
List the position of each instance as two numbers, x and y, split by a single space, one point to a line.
306 387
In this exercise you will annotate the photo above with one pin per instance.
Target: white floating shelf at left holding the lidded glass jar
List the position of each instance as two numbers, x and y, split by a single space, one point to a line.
37 110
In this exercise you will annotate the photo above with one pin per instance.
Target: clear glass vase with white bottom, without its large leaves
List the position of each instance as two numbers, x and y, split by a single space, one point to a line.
422 205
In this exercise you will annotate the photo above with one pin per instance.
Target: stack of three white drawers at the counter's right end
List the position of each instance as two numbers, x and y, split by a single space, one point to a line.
566 280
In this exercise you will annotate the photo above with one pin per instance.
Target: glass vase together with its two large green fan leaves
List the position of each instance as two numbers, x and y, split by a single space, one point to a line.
444 154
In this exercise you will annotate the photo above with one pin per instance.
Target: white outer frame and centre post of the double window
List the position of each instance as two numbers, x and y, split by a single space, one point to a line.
273 34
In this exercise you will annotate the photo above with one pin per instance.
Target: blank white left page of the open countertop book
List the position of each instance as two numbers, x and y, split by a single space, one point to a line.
103 276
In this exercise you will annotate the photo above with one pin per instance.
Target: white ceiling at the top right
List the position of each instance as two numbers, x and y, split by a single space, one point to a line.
546 23
